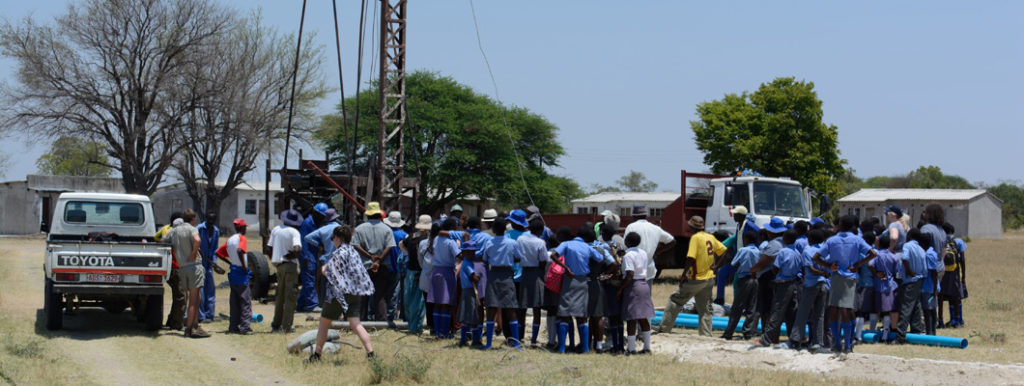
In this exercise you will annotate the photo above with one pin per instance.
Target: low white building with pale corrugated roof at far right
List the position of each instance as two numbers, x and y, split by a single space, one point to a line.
975 213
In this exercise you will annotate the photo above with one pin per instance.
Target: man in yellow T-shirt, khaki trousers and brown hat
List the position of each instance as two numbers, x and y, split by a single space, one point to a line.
698 280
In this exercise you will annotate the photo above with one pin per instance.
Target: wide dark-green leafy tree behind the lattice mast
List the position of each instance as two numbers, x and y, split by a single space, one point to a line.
457 145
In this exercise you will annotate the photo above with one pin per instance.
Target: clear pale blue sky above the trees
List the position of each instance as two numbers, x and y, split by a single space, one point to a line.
907 83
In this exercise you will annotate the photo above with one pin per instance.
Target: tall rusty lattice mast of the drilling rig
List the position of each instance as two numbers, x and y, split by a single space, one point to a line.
393 102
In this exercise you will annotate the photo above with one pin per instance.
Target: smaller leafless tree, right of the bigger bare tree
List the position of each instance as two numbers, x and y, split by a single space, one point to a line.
236 107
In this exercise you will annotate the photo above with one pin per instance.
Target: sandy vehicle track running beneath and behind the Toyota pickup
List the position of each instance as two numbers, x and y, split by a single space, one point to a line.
115 350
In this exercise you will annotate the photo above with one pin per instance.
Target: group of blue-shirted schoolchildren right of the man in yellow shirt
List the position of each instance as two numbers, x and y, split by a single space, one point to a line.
829 284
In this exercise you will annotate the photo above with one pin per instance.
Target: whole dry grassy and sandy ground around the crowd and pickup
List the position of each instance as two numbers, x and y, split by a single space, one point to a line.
97 348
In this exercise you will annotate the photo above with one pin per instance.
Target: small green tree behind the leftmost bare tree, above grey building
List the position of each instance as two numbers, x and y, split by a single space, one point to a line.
77 157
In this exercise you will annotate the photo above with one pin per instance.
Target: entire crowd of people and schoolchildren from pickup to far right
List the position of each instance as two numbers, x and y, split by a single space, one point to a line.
480 277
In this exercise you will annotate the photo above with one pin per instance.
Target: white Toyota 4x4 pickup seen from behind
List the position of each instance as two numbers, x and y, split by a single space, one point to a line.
101 252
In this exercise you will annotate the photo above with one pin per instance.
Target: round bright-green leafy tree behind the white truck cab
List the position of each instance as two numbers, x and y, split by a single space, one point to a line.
777 131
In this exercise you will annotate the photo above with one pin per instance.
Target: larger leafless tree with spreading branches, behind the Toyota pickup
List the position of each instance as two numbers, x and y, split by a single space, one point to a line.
105 72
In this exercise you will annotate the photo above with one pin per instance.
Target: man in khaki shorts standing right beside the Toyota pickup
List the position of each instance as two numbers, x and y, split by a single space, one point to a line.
185 240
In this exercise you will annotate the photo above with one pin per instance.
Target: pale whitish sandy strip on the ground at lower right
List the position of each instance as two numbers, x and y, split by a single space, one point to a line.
688 348
